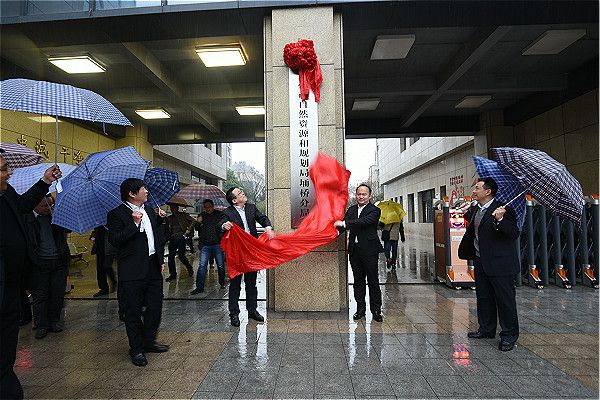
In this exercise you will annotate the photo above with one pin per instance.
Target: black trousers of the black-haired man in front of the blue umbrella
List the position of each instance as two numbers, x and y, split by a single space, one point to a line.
142 326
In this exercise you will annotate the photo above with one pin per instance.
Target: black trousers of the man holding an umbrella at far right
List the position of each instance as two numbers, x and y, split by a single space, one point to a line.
496 300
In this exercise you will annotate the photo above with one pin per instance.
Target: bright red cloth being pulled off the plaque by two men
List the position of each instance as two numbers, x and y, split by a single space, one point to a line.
246 253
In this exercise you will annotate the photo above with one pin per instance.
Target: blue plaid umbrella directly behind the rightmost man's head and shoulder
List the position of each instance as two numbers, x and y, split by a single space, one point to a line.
508 186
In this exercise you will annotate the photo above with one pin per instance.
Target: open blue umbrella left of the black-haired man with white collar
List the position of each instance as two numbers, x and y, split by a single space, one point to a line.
93 189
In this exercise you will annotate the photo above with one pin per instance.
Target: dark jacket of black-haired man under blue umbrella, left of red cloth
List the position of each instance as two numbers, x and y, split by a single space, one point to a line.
131 244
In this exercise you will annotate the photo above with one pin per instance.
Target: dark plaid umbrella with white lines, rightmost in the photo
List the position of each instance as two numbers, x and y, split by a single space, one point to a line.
546 179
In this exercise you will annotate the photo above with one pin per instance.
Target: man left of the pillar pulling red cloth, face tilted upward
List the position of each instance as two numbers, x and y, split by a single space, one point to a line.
245 215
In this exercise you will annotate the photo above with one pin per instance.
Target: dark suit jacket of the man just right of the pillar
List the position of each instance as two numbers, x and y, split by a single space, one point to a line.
363 227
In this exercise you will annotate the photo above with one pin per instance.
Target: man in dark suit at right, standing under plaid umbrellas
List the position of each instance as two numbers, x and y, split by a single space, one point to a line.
491 242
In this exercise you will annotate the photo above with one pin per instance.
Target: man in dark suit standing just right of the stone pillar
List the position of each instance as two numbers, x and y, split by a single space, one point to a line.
364 248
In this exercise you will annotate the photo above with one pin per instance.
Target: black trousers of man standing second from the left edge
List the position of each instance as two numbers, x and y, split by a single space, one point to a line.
48 290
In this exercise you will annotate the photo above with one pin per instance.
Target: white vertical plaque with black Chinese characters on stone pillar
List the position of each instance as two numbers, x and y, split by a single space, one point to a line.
304 144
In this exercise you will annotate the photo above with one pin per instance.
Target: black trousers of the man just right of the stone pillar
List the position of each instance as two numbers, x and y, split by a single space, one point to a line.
366 267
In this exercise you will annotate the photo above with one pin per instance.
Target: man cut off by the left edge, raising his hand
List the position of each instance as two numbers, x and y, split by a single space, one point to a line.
15 251
